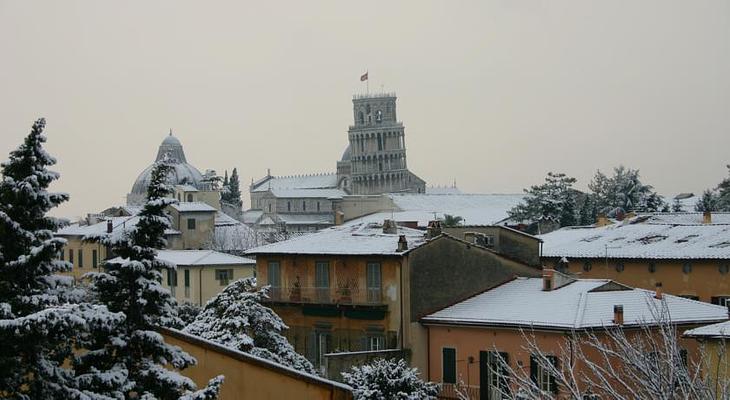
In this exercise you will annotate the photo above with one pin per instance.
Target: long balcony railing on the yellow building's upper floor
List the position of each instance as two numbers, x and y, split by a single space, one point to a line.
326 295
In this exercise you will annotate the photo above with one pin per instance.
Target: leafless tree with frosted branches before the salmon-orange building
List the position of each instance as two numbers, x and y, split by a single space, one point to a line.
646 362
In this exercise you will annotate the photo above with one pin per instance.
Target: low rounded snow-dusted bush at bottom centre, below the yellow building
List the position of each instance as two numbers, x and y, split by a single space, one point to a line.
389 380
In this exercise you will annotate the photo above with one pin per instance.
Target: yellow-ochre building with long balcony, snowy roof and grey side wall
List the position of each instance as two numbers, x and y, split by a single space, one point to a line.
363 287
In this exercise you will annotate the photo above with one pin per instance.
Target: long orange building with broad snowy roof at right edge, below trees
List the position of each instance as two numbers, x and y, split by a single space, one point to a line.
688 253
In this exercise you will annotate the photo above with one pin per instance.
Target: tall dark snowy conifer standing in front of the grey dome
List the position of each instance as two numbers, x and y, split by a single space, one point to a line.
133 287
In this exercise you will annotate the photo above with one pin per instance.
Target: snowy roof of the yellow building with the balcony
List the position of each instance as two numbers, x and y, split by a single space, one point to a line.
360 239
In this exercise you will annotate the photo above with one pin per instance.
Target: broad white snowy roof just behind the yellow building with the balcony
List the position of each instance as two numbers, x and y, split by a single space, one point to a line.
475 209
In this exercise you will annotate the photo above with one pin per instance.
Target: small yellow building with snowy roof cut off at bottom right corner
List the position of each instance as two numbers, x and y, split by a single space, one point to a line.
716 366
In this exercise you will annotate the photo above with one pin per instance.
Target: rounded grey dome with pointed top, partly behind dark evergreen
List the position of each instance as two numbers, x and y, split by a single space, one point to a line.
181 173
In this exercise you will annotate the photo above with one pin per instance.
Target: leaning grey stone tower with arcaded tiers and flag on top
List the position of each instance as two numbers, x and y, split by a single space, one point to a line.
377 150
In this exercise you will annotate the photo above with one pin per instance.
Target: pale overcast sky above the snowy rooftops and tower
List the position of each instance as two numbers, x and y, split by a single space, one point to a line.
493 94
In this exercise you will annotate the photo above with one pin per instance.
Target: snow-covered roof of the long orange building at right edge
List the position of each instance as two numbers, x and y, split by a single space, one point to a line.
652 236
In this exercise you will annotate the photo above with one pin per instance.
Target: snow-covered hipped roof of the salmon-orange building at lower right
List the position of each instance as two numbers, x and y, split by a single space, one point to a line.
581 304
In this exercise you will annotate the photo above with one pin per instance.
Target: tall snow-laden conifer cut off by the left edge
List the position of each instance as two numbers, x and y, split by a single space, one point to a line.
38 327
